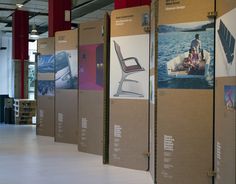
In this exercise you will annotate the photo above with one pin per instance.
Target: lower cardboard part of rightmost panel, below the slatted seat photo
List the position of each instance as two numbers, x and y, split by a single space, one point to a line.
225 118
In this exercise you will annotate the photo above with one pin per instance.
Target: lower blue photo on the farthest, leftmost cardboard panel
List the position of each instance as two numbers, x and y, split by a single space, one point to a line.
46 88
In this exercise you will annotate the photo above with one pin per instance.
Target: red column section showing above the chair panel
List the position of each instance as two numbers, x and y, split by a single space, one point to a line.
130 3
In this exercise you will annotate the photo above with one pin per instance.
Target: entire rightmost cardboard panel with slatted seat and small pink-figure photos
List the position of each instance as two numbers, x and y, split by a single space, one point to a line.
225 93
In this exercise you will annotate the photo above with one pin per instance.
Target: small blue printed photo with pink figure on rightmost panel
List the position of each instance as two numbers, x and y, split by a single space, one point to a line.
230 97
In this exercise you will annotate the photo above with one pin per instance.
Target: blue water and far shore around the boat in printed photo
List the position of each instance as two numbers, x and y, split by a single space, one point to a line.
170 45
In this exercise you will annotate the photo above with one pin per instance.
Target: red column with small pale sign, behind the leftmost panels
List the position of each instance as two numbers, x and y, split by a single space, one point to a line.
58 19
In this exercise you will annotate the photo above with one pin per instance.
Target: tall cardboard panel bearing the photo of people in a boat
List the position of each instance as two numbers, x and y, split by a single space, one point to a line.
184 92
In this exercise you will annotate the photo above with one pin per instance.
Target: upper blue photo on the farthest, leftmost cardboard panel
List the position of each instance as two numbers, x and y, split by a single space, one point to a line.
46 64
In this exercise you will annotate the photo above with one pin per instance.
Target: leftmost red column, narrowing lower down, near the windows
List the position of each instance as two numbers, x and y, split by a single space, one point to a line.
20 31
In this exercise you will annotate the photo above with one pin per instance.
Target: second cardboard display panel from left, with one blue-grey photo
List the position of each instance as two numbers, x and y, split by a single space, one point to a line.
66 85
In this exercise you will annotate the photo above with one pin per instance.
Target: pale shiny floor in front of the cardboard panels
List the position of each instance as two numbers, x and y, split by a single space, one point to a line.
29 159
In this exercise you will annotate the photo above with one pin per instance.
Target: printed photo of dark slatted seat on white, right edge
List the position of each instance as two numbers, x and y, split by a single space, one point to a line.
225 45
